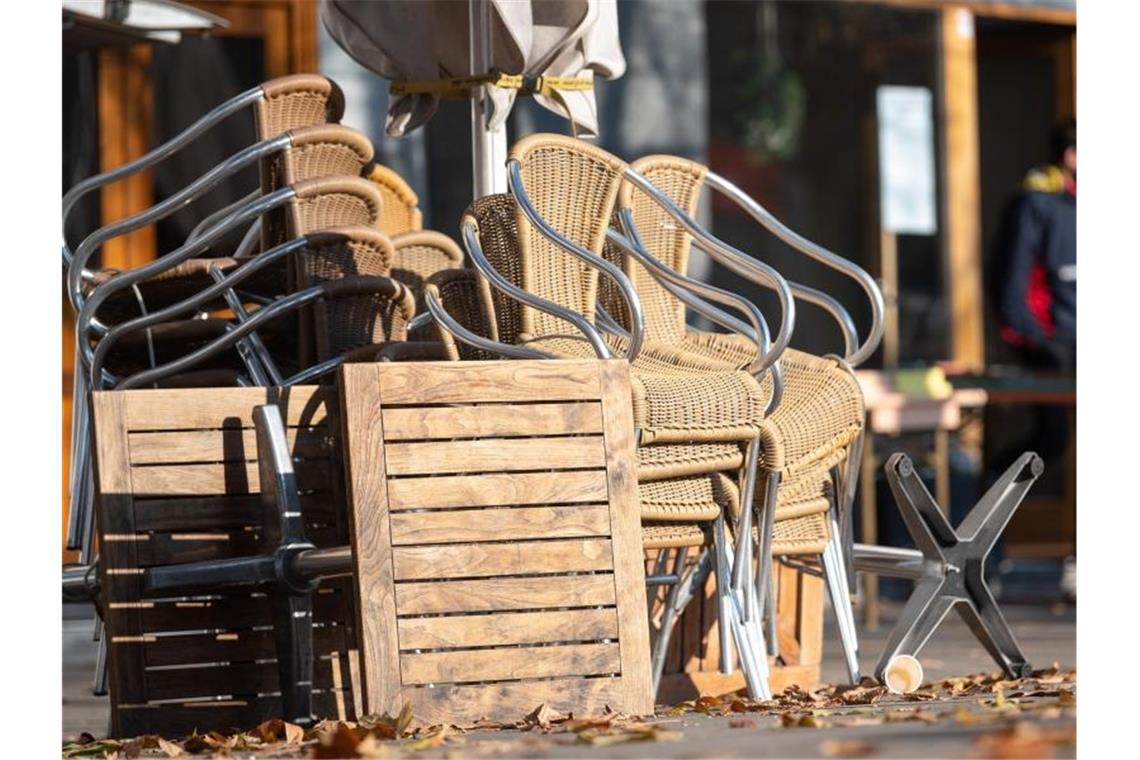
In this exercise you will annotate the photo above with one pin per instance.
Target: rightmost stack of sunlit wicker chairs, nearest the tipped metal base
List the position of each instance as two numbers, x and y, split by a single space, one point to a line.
812 438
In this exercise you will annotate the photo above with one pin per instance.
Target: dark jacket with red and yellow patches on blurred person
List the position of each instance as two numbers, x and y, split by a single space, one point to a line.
1035 276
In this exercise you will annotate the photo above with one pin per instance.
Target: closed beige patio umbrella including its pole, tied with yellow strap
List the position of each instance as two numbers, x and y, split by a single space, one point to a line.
425 42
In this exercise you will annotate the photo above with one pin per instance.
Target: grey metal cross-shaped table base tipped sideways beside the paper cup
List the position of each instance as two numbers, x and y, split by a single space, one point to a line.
949 565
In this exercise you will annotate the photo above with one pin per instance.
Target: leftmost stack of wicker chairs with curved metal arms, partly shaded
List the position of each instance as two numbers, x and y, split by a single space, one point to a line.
315 289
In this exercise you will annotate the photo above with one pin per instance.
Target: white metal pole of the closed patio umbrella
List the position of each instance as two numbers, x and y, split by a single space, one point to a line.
488 146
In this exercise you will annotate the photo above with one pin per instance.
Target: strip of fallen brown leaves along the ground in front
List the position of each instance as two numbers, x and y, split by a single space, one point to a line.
979 699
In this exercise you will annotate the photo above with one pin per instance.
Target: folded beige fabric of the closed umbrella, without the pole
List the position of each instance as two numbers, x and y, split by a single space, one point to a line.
417 40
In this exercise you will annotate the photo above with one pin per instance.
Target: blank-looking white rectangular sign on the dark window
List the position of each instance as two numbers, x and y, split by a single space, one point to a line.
907 177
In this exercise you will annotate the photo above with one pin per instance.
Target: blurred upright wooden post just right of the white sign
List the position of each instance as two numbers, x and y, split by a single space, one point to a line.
963 195
